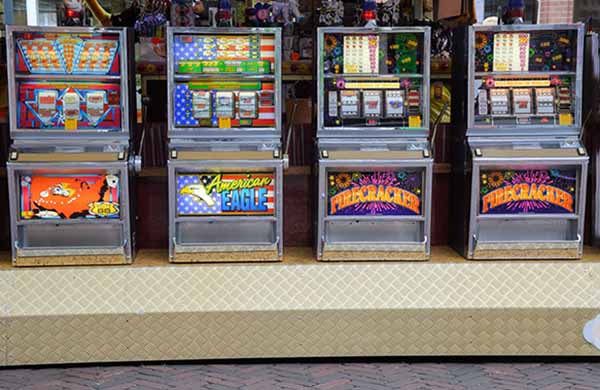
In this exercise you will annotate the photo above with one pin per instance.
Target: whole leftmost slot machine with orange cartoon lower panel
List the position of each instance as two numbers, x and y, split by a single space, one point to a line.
71 119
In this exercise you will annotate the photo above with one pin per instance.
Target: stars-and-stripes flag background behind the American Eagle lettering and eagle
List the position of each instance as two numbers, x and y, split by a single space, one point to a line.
189 205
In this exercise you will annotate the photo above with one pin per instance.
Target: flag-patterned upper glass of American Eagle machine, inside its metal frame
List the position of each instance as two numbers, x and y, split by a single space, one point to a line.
216 91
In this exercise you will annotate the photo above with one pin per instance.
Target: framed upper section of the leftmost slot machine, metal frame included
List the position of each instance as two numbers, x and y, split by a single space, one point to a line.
68 83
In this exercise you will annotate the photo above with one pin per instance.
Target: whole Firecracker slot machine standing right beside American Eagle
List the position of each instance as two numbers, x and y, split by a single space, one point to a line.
375 160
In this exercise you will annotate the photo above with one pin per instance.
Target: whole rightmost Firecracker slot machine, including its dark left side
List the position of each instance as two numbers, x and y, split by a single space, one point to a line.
522 179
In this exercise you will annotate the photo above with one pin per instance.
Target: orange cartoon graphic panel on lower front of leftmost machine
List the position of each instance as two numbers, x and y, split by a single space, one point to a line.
70 196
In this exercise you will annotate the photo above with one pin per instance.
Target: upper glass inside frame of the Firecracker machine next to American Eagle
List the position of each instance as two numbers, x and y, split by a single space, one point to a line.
373 80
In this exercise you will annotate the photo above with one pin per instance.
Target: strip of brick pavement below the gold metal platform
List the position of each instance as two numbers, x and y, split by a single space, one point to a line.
372 376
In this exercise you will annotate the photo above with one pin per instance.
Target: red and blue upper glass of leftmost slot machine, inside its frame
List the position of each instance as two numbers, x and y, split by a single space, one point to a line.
66 103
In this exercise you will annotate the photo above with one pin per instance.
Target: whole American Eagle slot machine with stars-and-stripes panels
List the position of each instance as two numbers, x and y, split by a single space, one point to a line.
225 162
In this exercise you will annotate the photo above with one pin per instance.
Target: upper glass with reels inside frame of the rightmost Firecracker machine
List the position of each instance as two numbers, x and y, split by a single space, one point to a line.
525 78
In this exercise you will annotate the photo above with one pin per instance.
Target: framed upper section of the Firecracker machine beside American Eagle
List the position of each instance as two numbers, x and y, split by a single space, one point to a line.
373 82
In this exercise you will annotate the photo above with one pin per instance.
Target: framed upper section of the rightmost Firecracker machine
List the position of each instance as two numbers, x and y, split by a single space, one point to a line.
525 80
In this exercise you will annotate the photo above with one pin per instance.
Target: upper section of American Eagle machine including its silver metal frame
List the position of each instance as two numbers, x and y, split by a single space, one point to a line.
224 82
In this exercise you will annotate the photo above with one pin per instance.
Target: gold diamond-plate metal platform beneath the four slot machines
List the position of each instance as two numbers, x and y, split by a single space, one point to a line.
154 310
